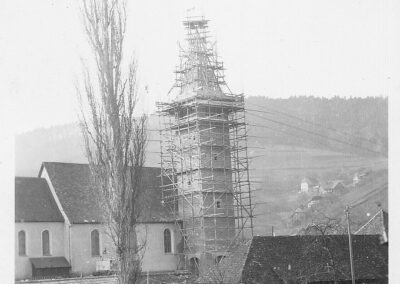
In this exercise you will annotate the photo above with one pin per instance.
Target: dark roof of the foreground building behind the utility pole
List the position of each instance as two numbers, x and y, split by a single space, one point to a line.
298 259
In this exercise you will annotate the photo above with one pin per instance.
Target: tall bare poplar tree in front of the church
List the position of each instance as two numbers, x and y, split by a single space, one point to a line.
115 140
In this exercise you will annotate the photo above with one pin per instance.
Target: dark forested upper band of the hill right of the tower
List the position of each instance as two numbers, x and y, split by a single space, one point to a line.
337 124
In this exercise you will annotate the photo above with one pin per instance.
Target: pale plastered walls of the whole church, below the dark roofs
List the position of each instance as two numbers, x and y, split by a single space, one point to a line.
82 261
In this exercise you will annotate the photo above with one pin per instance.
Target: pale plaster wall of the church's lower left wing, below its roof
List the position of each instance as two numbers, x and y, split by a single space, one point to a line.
33 234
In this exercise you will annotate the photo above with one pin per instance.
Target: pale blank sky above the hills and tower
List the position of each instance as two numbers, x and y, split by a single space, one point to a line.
270 48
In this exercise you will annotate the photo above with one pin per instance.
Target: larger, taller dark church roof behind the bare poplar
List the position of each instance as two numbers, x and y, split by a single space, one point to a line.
79 200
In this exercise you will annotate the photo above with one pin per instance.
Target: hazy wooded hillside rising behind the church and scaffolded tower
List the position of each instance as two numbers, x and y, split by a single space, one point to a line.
289 139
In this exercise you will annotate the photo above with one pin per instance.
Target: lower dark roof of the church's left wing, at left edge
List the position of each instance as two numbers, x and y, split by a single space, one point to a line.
34 201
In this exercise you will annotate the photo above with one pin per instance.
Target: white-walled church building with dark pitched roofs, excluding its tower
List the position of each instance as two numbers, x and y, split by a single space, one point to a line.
58 225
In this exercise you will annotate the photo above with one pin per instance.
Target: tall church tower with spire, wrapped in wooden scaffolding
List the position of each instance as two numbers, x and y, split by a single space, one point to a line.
204 163
